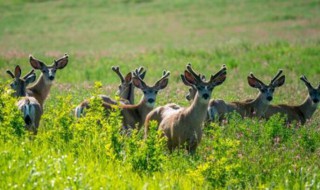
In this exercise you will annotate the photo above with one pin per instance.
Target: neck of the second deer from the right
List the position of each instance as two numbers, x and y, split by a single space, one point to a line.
259 105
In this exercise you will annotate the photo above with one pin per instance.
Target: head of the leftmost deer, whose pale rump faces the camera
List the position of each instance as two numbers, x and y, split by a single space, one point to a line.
19 84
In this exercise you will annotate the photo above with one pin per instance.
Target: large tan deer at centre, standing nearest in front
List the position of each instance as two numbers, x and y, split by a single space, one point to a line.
183 126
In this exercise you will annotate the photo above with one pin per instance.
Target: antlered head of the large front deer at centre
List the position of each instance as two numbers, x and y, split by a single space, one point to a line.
198 83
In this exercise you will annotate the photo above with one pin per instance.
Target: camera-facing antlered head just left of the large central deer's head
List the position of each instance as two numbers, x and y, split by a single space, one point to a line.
150 92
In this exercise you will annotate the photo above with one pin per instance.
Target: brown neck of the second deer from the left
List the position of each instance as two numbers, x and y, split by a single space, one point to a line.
40 89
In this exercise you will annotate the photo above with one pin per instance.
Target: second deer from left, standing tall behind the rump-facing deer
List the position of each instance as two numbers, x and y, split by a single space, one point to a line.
41 88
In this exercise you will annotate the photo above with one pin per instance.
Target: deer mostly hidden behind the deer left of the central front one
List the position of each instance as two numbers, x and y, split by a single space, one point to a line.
125 91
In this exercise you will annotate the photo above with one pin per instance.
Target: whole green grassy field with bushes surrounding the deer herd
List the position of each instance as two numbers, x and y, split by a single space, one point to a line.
246 35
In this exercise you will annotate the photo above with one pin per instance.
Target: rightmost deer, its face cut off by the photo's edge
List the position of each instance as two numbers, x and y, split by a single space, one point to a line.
299 113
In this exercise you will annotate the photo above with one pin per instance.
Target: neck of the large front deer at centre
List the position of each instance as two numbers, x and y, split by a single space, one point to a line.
197 111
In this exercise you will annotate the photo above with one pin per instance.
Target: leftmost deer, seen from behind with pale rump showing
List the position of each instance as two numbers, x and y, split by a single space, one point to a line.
29 106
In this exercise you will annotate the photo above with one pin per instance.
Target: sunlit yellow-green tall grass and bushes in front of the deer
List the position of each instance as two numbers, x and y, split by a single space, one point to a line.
91 152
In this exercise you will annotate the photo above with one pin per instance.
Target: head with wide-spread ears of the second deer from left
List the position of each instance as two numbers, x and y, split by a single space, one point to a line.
49 71
